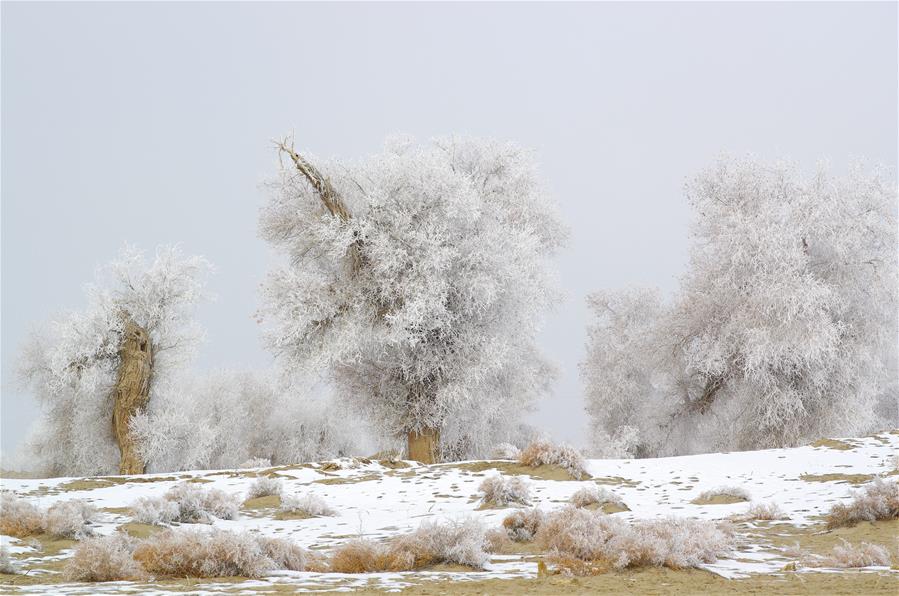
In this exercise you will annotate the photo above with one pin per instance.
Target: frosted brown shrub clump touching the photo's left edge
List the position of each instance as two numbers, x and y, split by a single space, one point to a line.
65 519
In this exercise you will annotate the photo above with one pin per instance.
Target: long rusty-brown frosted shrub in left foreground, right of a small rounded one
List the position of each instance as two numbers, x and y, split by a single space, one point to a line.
219 553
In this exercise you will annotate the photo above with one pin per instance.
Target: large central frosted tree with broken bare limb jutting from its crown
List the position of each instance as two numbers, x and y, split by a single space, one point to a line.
415 279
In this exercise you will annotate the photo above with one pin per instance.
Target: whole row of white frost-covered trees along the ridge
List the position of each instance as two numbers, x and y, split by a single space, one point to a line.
415 282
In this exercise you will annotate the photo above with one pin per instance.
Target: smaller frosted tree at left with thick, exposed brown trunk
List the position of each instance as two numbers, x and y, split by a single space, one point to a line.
93 370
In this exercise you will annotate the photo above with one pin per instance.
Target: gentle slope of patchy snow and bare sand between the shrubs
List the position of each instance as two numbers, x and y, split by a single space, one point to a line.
380 499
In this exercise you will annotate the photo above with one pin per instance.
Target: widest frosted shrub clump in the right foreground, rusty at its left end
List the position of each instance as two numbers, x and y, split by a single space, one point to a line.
606 542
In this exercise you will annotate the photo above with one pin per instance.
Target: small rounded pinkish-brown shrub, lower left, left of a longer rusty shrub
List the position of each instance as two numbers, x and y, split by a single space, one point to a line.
104 559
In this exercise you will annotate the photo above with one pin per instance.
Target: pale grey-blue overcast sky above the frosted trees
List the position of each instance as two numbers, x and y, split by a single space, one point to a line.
151 123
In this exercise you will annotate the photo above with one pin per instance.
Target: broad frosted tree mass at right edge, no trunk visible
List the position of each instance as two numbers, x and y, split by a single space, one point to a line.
784 328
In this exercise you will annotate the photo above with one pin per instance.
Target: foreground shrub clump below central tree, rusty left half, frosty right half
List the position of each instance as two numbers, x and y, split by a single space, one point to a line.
432 543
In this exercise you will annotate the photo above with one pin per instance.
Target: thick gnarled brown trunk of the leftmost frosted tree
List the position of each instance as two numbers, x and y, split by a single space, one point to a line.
131 392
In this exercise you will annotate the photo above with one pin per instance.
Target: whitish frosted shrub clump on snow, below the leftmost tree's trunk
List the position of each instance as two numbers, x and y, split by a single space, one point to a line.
185 503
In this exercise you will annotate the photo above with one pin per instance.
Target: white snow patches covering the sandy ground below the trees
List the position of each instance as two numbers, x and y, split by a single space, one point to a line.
379 500
